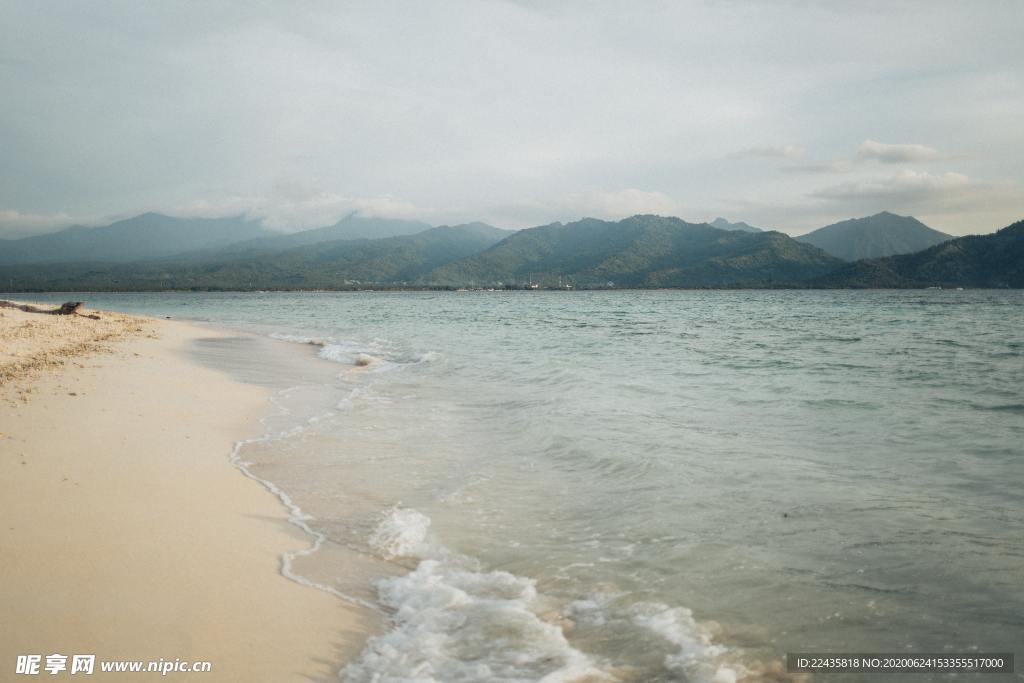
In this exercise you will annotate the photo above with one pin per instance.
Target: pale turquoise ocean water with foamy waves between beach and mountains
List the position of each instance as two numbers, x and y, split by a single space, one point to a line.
643 486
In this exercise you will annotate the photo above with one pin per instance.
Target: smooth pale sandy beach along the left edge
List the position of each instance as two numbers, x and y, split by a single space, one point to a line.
127 533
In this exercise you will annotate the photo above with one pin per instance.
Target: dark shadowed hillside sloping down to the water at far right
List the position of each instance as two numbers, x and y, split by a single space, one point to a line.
988 261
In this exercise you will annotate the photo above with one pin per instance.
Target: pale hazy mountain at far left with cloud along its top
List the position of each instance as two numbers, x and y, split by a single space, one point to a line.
145 237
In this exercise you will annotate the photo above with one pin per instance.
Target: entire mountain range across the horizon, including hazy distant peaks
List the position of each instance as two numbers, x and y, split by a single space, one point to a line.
155 252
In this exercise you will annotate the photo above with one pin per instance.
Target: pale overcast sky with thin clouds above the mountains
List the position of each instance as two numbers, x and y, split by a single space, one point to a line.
788 115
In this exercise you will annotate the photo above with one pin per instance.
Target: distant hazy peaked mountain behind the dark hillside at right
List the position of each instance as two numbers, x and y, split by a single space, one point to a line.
882 235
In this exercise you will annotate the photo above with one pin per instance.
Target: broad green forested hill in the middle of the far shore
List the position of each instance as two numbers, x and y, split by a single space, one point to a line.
643 251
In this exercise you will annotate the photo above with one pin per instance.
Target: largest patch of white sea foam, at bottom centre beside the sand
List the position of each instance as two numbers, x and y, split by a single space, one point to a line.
457 624
